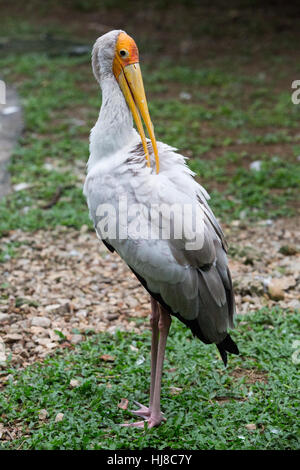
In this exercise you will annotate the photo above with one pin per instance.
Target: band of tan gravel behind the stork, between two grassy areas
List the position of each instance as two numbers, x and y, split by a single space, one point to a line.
63 284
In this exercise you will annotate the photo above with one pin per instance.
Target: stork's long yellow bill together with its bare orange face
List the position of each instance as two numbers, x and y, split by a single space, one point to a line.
128 73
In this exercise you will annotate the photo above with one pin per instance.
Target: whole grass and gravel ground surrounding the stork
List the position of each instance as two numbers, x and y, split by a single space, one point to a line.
218 81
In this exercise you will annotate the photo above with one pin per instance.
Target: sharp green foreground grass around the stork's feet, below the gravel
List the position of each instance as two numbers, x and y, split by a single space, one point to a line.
195 417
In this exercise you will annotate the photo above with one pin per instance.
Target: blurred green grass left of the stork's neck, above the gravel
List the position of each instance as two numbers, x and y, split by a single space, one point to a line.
50 94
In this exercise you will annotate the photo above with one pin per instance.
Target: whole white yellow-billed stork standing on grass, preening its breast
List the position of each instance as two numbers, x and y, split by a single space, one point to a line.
126 170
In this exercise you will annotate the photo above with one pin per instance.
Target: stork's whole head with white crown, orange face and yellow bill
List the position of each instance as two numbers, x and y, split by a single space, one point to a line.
116 54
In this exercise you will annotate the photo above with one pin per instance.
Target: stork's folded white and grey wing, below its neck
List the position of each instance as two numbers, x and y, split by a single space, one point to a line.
194 282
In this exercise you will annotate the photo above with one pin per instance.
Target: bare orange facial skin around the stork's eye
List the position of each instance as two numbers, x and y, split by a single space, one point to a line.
126 53
